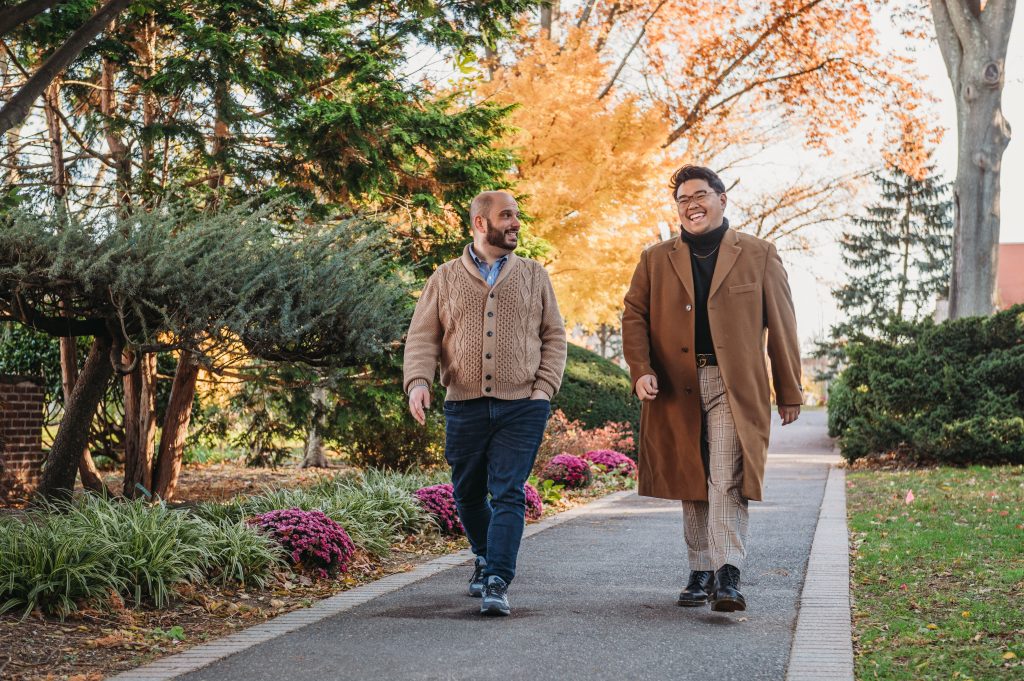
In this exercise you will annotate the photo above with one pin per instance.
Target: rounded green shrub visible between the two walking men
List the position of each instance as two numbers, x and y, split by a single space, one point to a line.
596 392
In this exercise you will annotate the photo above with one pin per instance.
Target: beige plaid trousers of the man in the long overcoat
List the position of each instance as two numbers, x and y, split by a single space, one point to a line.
716 530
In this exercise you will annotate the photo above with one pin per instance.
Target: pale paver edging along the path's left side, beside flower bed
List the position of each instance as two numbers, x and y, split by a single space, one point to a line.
207 654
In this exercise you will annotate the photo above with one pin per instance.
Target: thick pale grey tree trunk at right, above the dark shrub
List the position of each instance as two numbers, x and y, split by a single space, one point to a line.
973 39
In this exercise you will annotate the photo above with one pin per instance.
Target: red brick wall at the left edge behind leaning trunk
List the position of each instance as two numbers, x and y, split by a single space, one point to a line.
21 435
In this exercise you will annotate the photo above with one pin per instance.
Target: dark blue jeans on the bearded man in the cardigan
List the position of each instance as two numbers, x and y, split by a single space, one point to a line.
491 446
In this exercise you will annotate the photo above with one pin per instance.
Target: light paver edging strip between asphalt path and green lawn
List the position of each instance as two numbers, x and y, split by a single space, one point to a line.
823 646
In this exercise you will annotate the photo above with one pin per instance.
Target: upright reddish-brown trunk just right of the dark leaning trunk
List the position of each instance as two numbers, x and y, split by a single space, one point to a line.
141 425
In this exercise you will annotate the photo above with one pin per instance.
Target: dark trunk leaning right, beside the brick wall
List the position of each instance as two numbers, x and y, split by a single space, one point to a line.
73 436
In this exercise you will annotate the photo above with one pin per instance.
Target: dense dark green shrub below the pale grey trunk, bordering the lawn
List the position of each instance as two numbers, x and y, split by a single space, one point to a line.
951 393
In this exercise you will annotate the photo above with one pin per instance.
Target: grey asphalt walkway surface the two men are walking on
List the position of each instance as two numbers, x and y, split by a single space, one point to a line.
594 599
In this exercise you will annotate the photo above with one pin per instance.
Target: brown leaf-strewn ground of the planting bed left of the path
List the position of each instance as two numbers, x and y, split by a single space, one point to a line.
106 637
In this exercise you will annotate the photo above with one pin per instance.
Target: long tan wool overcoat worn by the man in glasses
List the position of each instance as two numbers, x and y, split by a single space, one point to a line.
749 309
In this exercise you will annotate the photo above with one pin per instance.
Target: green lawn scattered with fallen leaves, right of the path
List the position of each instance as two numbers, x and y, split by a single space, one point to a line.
938 580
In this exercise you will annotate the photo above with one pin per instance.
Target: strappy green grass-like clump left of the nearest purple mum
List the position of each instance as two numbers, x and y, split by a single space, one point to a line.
57 557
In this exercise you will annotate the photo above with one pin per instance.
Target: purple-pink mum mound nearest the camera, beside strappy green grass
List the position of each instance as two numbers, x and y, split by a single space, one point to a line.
311 538
